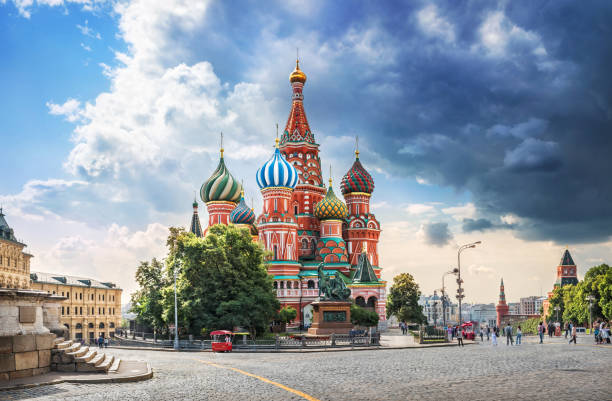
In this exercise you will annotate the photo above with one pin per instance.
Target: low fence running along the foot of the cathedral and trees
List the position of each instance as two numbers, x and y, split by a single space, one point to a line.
274 344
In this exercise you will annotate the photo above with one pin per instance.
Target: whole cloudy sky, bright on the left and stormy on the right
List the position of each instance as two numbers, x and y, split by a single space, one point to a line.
478 120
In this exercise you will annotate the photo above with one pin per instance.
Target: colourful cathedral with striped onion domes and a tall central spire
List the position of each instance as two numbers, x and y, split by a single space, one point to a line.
303 222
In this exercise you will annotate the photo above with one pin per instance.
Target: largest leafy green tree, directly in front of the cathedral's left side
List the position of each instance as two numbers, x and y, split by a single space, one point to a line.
223 282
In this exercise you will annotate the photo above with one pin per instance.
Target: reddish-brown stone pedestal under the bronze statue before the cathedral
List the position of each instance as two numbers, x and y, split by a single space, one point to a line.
331 317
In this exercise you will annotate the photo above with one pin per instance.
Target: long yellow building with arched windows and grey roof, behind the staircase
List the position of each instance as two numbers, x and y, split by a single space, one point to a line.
91 309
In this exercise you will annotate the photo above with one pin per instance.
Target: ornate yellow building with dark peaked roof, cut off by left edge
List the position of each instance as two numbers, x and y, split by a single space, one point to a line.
14 262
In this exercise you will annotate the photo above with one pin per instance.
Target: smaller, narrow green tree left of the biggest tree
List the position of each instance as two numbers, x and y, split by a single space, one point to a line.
148 301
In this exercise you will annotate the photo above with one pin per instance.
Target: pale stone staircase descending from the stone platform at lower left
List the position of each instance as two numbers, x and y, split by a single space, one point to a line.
68 356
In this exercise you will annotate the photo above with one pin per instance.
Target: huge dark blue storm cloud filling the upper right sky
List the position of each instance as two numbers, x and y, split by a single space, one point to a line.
510 101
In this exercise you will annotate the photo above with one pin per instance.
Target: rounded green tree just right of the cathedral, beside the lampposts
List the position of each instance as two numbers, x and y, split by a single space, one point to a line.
402 300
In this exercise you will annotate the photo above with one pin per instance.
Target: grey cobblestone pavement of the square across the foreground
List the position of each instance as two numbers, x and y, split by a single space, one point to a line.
475 372
